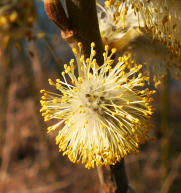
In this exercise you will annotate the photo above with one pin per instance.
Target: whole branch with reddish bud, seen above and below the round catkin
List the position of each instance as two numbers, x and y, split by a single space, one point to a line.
83 27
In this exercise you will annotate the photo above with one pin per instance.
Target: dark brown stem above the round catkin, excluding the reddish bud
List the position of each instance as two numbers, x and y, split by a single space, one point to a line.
84 22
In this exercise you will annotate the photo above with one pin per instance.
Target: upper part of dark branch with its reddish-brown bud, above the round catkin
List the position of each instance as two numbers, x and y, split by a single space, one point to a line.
81 24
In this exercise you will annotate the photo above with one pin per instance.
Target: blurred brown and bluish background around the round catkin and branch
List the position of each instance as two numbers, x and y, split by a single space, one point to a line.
29 158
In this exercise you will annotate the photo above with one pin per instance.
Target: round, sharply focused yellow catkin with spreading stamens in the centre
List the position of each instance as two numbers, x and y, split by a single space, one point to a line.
102 115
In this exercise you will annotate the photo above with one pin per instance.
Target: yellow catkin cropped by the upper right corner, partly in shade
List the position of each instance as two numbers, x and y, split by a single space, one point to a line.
148 30
